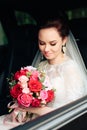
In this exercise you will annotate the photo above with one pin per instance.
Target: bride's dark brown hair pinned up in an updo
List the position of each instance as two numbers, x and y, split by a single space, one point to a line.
60 22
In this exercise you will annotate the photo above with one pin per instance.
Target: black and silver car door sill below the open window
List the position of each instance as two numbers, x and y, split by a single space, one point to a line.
57 118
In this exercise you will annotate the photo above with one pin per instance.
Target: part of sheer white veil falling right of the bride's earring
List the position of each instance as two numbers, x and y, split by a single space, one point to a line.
73 51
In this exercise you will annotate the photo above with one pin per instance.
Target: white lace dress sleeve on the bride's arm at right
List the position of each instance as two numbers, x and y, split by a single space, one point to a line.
74 82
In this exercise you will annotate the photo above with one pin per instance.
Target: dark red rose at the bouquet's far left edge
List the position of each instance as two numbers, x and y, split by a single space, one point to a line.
15 90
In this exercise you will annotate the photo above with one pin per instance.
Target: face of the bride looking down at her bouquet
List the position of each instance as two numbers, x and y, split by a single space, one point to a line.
50 43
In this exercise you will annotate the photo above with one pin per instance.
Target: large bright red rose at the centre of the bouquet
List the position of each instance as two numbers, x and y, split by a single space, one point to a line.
35 85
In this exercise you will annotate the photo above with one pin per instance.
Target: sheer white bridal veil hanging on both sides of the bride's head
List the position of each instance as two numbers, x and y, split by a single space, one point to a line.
72 51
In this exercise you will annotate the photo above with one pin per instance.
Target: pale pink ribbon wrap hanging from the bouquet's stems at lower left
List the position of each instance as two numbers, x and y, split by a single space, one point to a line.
17 116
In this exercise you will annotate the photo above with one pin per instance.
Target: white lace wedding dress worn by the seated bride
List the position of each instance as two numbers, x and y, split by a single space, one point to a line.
67 80
